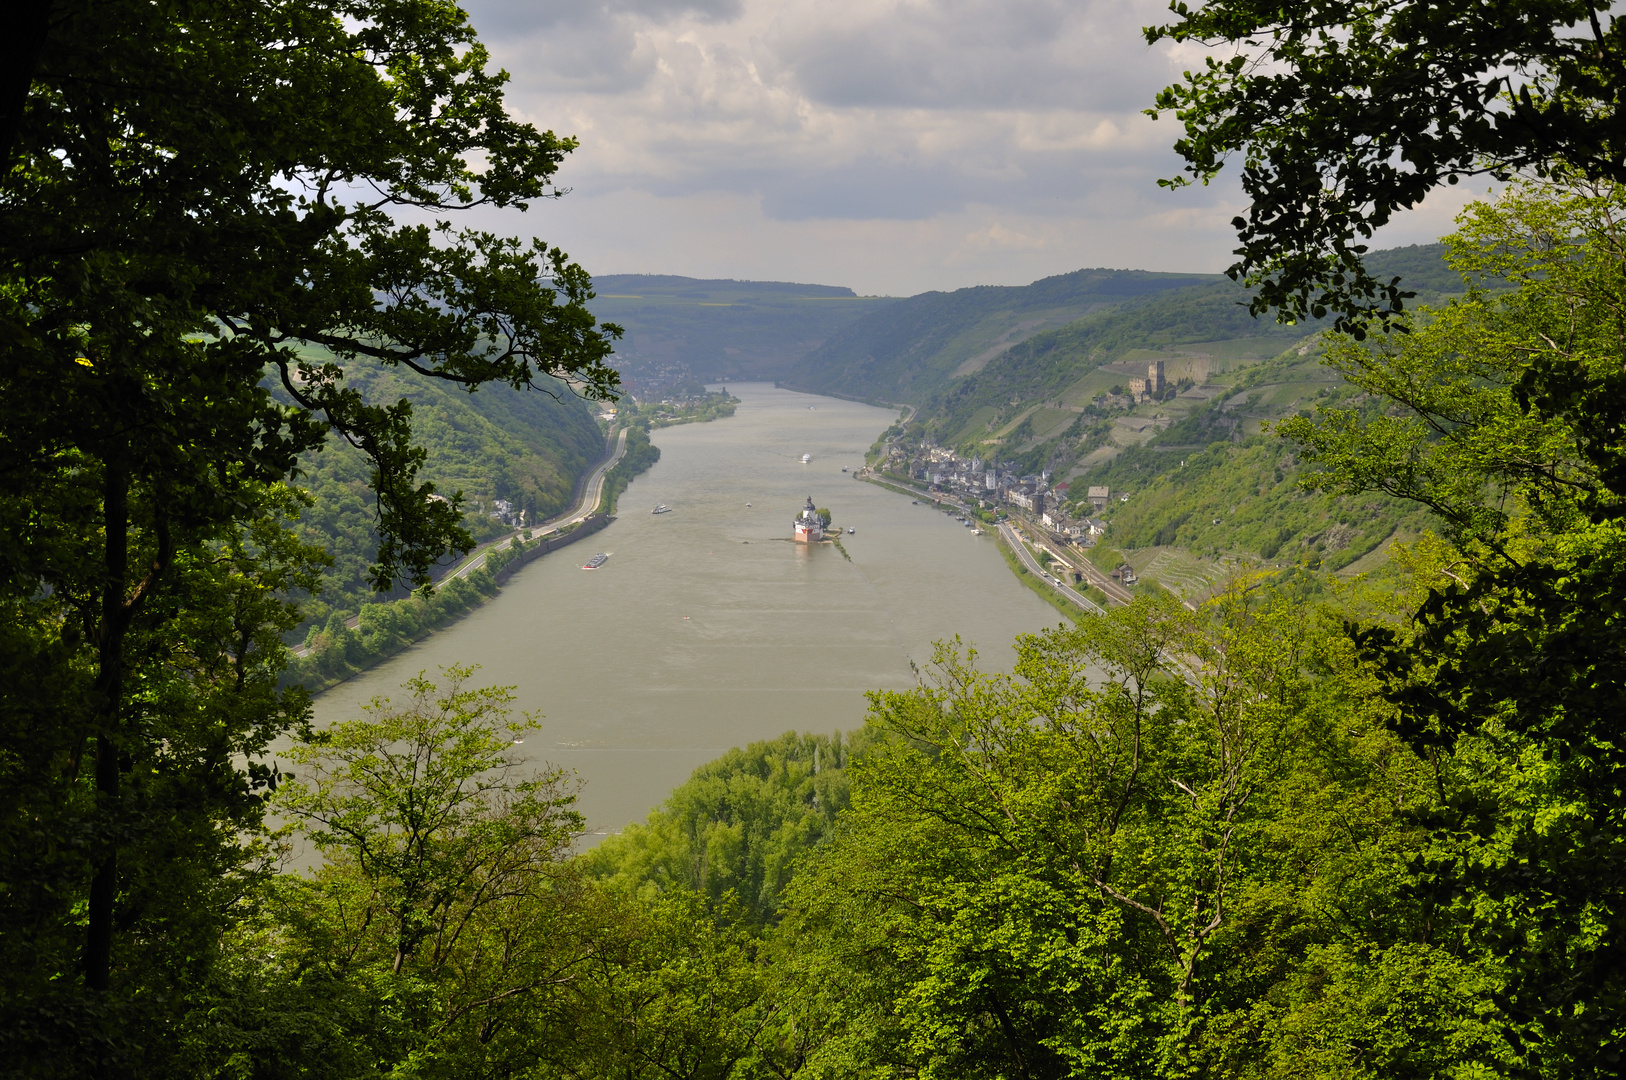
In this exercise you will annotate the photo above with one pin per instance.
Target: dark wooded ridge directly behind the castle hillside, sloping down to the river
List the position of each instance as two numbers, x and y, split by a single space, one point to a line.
906 351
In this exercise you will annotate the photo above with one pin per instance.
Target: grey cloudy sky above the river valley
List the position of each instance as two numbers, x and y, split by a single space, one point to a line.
889 146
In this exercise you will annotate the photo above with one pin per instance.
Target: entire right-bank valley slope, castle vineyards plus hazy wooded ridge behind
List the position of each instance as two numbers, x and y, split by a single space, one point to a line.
1201 487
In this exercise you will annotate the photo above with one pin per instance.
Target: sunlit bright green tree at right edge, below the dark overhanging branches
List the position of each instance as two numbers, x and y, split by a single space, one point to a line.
1505 416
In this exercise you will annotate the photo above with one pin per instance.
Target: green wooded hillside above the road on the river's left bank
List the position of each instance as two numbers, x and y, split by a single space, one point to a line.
524 448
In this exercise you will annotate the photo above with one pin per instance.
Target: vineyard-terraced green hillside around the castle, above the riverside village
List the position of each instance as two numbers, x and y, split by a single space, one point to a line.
1211 489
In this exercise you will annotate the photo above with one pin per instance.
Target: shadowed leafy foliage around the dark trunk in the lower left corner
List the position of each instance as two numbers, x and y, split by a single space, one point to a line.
201 663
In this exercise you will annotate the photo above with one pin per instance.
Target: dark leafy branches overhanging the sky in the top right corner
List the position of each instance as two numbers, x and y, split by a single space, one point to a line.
1346 111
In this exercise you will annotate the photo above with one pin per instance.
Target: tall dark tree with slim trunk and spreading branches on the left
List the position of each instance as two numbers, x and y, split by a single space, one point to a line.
201 198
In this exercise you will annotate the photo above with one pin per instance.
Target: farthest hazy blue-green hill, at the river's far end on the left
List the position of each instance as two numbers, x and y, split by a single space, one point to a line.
682 329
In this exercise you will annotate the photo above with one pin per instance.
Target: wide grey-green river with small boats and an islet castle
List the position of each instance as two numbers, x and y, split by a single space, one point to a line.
708 629
